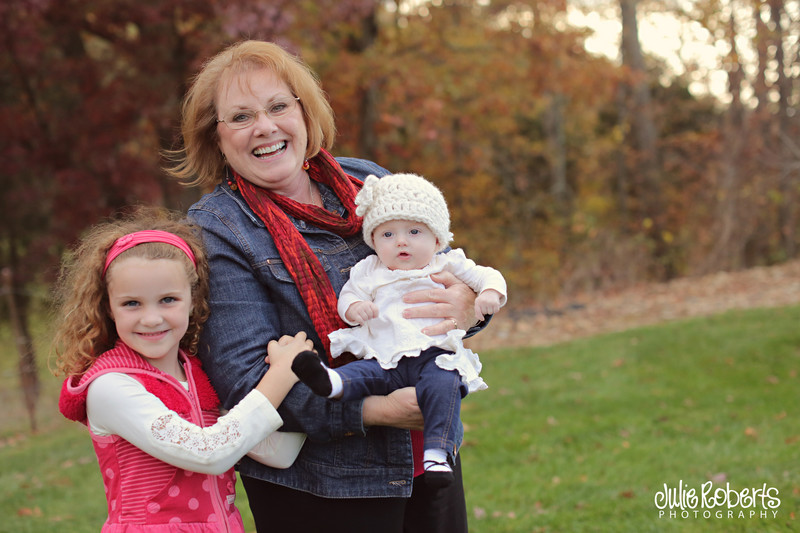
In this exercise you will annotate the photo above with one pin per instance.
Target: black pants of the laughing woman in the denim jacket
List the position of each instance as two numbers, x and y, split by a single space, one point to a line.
429 510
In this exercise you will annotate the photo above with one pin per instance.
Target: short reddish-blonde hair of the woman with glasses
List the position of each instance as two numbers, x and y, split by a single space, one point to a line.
200 161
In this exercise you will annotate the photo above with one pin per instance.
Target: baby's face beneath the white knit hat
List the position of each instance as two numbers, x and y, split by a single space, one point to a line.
404 244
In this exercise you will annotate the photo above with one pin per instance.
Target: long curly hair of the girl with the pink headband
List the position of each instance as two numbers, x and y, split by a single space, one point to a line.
84 326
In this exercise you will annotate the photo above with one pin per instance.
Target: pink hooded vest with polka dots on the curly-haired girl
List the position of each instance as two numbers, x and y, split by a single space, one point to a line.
145 494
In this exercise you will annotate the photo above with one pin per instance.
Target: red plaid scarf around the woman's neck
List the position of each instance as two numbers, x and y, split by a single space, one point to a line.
301 262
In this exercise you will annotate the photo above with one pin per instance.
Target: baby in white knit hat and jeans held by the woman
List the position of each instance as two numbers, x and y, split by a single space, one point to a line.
406 222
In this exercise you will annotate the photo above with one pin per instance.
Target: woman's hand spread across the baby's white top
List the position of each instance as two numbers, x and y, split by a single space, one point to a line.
455 305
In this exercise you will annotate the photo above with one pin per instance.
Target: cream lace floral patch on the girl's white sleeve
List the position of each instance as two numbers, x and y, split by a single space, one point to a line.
172 429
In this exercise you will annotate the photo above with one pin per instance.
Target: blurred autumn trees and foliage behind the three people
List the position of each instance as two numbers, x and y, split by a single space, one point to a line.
581 144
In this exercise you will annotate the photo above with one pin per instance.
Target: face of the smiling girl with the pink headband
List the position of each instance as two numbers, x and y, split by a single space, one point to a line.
151 300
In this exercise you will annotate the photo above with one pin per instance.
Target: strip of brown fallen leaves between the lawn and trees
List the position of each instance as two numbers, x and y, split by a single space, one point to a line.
643 304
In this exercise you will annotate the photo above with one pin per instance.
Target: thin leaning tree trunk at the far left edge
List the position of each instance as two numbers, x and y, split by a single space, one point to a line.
28 373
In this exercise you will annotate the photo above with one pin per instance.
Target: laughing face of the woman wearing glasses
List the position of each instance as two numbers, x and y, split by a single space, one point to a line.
271 151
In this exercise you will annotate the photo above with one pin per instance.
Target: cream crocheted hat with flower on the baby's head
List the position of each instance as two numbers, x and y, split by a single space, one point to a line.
403 197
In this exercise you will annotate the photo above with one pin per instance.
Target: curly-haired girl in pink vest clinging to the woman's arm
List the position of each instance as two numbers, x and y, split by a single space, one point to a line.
132 302
